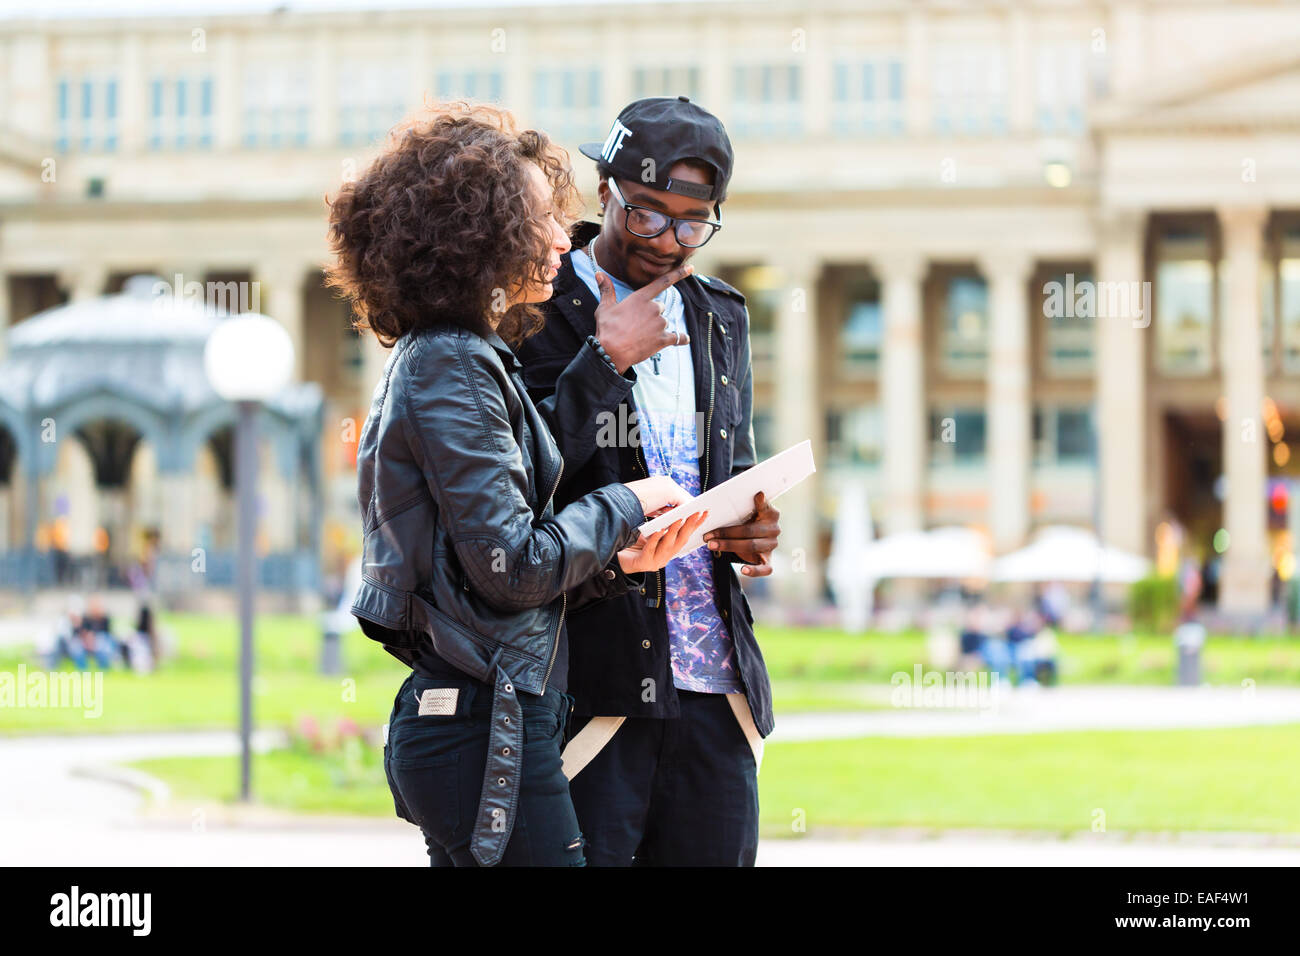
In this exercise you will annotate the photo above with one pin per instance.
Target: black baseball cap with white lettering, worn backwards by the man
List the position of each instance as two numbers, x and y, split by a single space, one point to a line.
666 131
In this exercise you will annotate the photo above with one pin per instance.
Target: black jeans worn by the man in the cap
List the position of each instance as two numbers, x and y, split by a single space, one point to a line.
673 791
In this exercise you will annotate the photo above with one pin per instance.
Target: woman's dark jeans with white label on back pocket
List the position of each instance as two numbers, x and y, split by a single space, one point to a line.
435 765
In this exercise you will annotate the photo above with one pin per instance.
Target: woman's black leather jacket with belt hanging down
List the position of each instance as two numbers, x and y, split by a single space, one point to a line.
457 473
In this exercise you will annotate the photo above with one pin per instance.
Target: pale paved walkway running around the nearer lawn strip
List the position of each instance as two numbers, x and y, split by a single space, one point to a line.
67 802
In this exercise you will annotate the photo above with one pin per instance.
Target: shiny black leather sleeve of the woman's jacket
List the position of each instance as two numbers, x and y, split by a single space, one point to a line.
462 439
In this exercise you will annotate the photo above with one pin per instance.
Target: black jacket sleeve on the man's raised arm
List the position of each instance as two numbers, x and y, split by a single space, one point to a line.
584 399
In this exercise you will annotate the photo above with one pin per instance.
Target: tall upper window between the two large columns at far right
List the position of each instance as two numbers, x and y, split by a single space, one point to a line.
1185 302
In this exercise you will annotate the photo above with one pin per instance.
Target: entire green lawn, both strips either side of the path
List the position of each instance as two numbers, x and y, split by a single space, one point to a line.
1242 780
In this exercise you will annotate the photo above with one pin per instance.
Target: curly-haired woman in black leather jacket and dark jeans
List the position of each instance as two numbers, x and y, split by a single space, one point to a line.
444 245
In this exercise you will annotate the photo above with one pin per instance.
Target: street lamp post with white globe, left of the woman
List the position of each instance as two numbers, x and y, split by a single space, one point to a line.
249 358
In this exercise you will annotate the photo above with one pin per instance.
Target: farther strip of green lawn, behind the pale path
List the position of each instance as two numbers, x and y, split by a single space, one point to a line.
812 671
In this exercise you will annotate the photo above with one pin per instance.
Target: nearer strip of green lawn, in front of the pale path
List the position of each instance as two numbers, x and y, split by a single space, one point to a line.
1198 780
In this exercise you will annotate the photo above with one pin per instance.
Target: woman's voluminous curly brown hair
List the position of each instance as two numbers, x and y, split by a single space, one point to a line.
443 227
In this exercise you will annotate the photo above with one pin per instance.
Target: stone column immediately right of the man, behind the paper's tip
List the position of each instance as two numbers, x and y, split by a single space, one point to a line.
798 417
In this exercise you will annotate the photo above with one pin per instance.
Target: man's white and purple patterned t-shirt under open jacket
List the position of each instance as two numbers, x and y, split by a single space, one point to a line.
704 657
